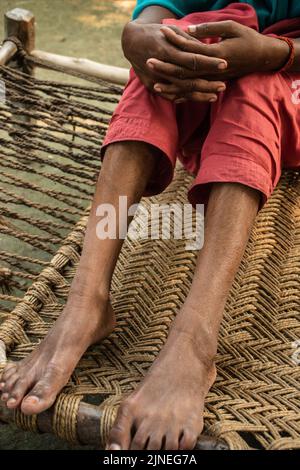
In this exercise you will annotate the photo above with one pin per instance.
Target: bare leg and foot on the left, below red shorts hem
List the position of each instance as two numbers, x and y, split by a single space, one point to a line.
88 317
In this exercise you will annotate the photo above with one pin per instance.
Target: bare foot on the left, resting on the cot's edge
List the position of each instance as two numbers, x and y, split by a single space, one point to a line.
34 383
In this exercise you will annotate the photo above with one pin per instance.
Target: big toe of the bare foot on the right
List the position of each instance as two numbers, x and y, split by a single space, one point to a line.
120 435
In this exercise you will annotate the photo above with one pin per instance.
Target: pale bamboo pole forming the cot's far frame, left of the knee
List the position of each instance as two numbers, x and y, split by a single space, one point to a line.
117 75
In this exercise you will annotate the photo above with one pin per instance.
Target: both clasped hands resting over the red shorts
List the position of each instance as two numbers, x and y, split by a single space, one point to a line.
199 68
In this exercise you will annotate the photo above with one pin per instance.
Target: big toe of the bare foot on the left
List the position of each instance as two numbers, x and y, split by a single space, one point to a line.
41 397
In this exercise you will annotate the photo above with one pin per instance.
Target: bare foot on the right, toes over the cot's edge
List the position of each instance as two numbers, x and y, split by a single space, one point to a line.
166 410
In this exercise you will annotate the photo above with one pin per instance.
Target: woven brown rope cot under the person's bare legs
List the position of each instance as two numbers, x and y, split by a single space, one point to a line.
50 134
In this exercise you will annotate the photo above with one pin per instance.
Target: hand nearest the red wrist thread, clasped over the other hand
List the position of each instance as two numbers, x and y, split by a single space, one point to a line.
268 54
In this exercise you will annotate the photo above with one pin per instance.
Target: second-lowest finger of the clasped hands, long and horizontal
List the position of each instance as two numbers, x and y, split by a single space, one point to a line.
190 86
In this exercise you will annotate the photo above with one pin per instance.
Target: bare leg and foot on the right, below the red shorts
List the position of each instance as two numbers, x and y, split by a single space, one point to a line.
166 410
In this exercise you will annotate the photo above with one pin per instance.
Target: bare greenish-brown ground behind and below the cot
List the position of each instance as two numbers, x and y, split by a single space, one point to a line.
80 28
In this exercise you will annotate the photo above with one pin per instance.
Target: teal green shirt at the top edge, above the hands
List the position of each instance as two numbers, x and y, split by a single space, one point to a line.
268 11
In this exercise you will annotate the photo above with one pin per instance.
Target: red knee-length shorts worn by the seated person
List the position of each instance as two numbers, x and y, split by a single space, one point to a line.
246 137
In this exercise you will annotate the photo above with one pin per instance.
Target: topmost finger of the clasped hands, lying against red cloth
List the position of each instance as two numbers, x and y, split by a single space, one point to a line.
223 29
